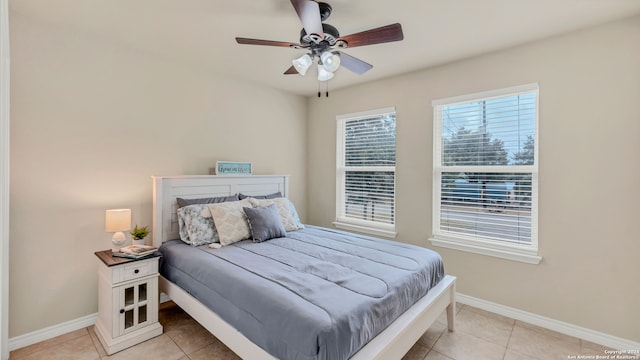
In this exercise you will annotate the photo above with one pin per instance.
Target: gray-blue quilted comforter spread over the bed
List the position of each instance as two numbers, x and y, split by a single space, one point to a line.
316 294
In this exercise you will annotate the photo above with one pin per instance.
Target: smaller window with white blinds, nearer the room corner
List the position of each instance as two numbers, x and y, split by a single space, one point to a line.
365 172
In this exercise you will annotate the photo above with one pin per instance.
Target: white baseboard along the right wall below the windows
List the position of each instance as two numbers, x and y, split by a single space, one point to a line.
551 324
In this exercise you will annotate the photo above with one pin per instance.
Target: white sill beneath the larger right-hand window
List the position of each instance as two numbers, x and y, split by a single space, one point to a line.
504 252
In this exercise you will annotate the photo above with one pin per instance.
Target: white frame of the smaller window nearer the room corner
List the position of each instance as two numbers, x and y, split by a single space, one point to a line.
347 223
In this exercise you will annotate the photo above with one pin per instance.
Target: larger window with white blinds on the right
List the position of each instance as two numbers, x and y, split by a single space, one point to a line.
485 170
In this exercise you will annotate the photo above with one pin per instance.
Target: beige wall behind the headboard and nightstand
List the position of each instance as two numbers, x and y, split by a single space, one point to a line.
91 121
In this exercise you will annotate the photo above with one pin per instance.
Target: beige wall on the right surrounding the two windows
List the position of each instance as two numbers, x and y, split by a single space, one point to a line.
589 172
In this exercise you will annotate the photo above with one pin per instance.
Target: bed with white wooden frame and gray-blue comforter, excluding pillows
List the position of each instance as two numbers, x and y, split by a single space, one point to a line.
247 338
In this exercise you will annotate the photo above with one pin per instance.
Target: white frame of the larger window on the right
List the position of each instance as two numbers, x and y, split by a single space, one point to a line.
496 248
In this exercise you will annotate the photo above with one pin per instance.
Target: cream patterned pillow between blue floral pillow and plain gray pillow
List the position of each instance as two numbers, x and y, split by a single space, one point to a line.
231 221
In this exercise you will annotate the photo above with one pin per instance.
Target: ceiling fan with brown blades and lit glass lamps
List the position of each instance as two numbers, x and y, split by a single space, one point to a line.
322 41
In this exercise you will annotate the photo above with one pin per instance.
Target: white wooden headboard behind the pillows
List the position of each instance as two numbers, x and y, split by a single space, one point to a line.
167 188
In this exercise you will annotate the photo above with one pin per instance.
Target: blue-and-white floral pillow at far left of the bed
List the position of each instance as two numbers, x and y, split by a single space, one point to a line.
196 225
